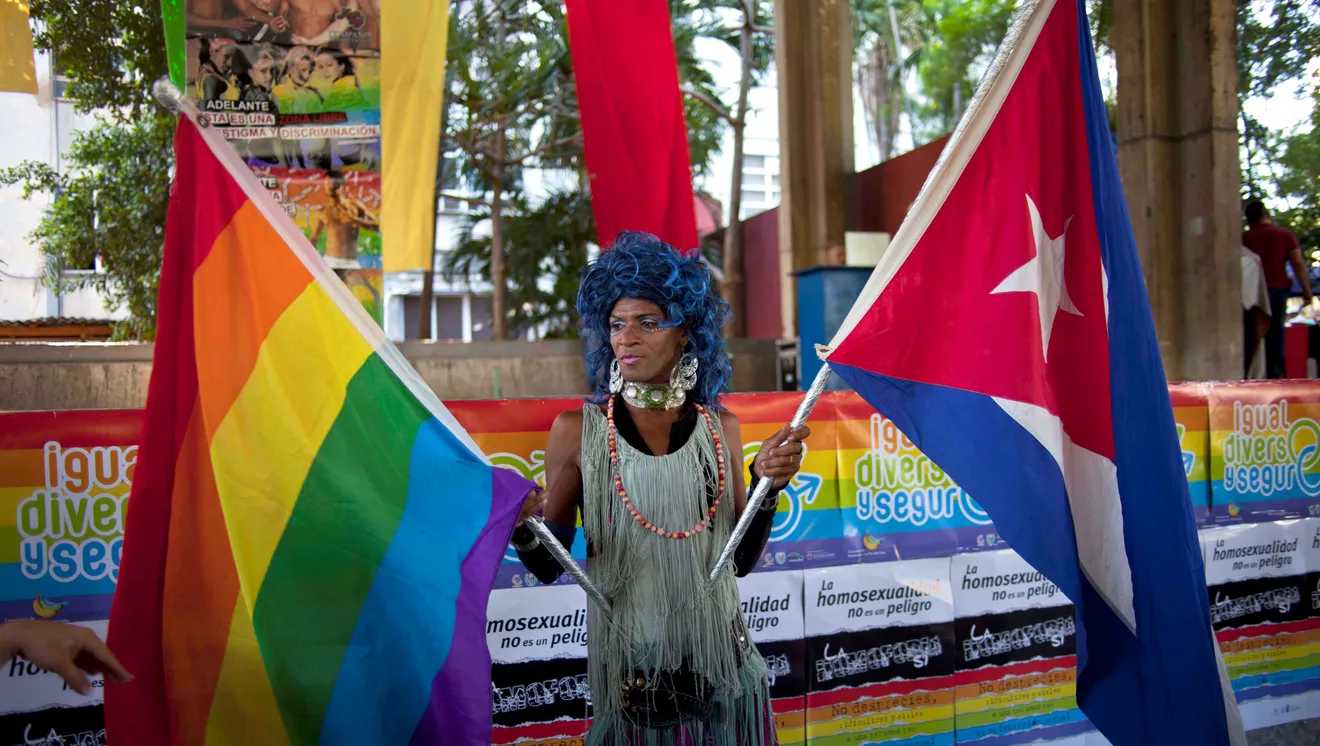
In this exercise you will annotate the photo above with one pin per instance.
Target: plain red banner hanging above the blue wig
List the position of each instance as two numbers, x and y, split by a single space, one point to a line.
633 123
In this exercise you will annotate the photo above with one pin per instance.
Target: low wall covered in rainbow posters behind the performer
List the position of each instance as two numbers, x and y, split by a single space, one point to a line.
873 551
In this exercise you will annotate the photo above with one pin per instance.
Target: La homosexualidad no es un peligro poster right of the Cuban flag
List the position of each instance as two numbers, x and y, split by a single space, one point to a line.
1261 613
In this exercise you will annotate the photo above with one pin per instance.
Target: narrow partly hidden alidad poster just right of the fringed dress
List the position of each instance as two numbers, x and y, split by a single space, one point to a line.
773 609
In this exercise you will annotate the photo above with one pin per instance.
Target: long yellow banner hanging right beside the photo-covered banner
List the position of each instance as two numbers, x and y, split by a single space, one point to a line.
412 92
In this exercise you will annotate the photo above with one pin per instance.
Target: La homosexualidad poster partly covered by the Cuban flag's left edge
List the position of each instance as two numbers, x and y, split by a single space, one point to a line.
1016 654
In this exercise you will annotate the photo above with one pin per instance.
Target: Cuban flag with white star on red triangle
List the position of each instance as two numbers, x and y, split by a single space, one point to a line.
1008 333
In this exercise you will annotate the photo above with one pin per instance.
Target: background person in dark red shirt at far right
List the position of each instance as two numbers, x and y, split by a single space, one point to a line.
1277 249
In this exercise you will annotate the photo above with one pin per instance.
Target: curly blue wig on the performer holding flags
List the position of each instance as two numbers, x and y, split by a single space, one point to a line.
643 267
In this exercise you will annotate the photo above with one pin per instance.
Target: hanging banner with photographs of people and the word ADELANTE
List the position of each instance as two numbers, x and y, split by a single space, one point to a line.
295 86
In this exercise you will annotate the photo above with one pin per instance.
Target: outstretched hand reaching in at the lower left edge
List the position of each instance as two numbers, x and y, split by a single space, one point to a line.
68 650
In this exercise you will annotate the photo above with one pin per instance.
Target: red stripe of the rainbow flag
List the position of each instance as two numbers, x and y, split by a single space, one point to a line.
203 201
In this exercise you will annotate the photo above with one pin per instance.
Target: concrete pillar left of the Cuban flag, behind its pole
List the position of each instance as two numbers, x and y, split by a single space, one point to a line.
814 61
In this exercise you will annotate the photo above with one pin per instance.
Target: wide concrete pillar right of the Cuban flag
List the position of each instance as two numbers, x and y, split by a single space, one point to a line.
1178 153
